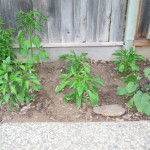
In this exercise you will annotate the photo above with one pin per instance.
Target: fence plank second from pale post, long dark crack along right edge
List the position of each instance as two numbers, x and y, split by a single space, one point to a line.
103 21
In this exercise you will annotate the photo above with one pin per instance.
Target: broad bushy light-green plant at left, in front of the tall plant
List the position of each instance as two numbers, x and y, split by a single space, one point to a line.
17 82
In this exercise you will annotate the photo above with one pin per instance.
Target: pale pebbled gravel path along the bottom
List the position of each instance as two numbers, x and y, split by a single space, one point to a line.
75 136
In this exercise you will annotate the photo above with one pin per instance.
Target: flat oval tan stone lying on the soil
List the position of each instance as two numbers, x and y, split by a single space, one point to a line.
109 110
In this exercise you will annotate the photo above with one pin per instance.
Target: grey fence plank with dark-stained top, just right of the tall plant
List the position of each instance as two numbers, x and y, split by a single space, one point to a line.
54 21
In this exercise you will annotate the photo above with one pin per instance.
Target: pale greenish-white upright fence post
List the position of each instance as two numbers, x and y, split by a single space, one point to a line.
131 19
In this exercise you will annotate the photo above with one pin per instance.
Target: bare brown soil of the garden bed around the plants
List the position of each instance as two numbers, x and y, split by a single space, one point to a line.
49 106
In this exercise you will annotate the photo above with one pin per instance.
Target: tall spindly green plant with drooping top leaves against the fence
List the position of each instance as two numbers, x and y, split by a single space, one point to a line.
29 41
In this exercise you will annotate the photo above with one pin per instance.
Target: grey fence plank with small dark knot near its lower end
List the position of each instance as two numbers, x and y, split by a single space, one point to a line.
67 21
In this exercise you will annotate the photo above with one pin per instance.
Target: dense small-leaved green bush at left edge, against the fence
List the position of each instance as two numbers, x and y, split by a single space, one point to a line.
6 42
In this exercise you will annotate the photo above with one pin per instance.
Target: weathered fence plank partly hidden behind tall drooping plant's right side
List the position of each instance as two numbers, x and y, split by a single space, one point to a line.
42 6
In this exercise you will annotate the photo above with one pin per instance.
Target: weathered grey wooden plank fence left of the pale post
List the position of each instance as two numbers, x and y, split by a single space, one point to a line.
73 21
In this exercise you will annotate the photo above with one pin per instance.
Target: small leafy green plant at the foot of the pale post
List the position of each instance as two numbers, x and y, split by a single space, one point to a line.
126 61
